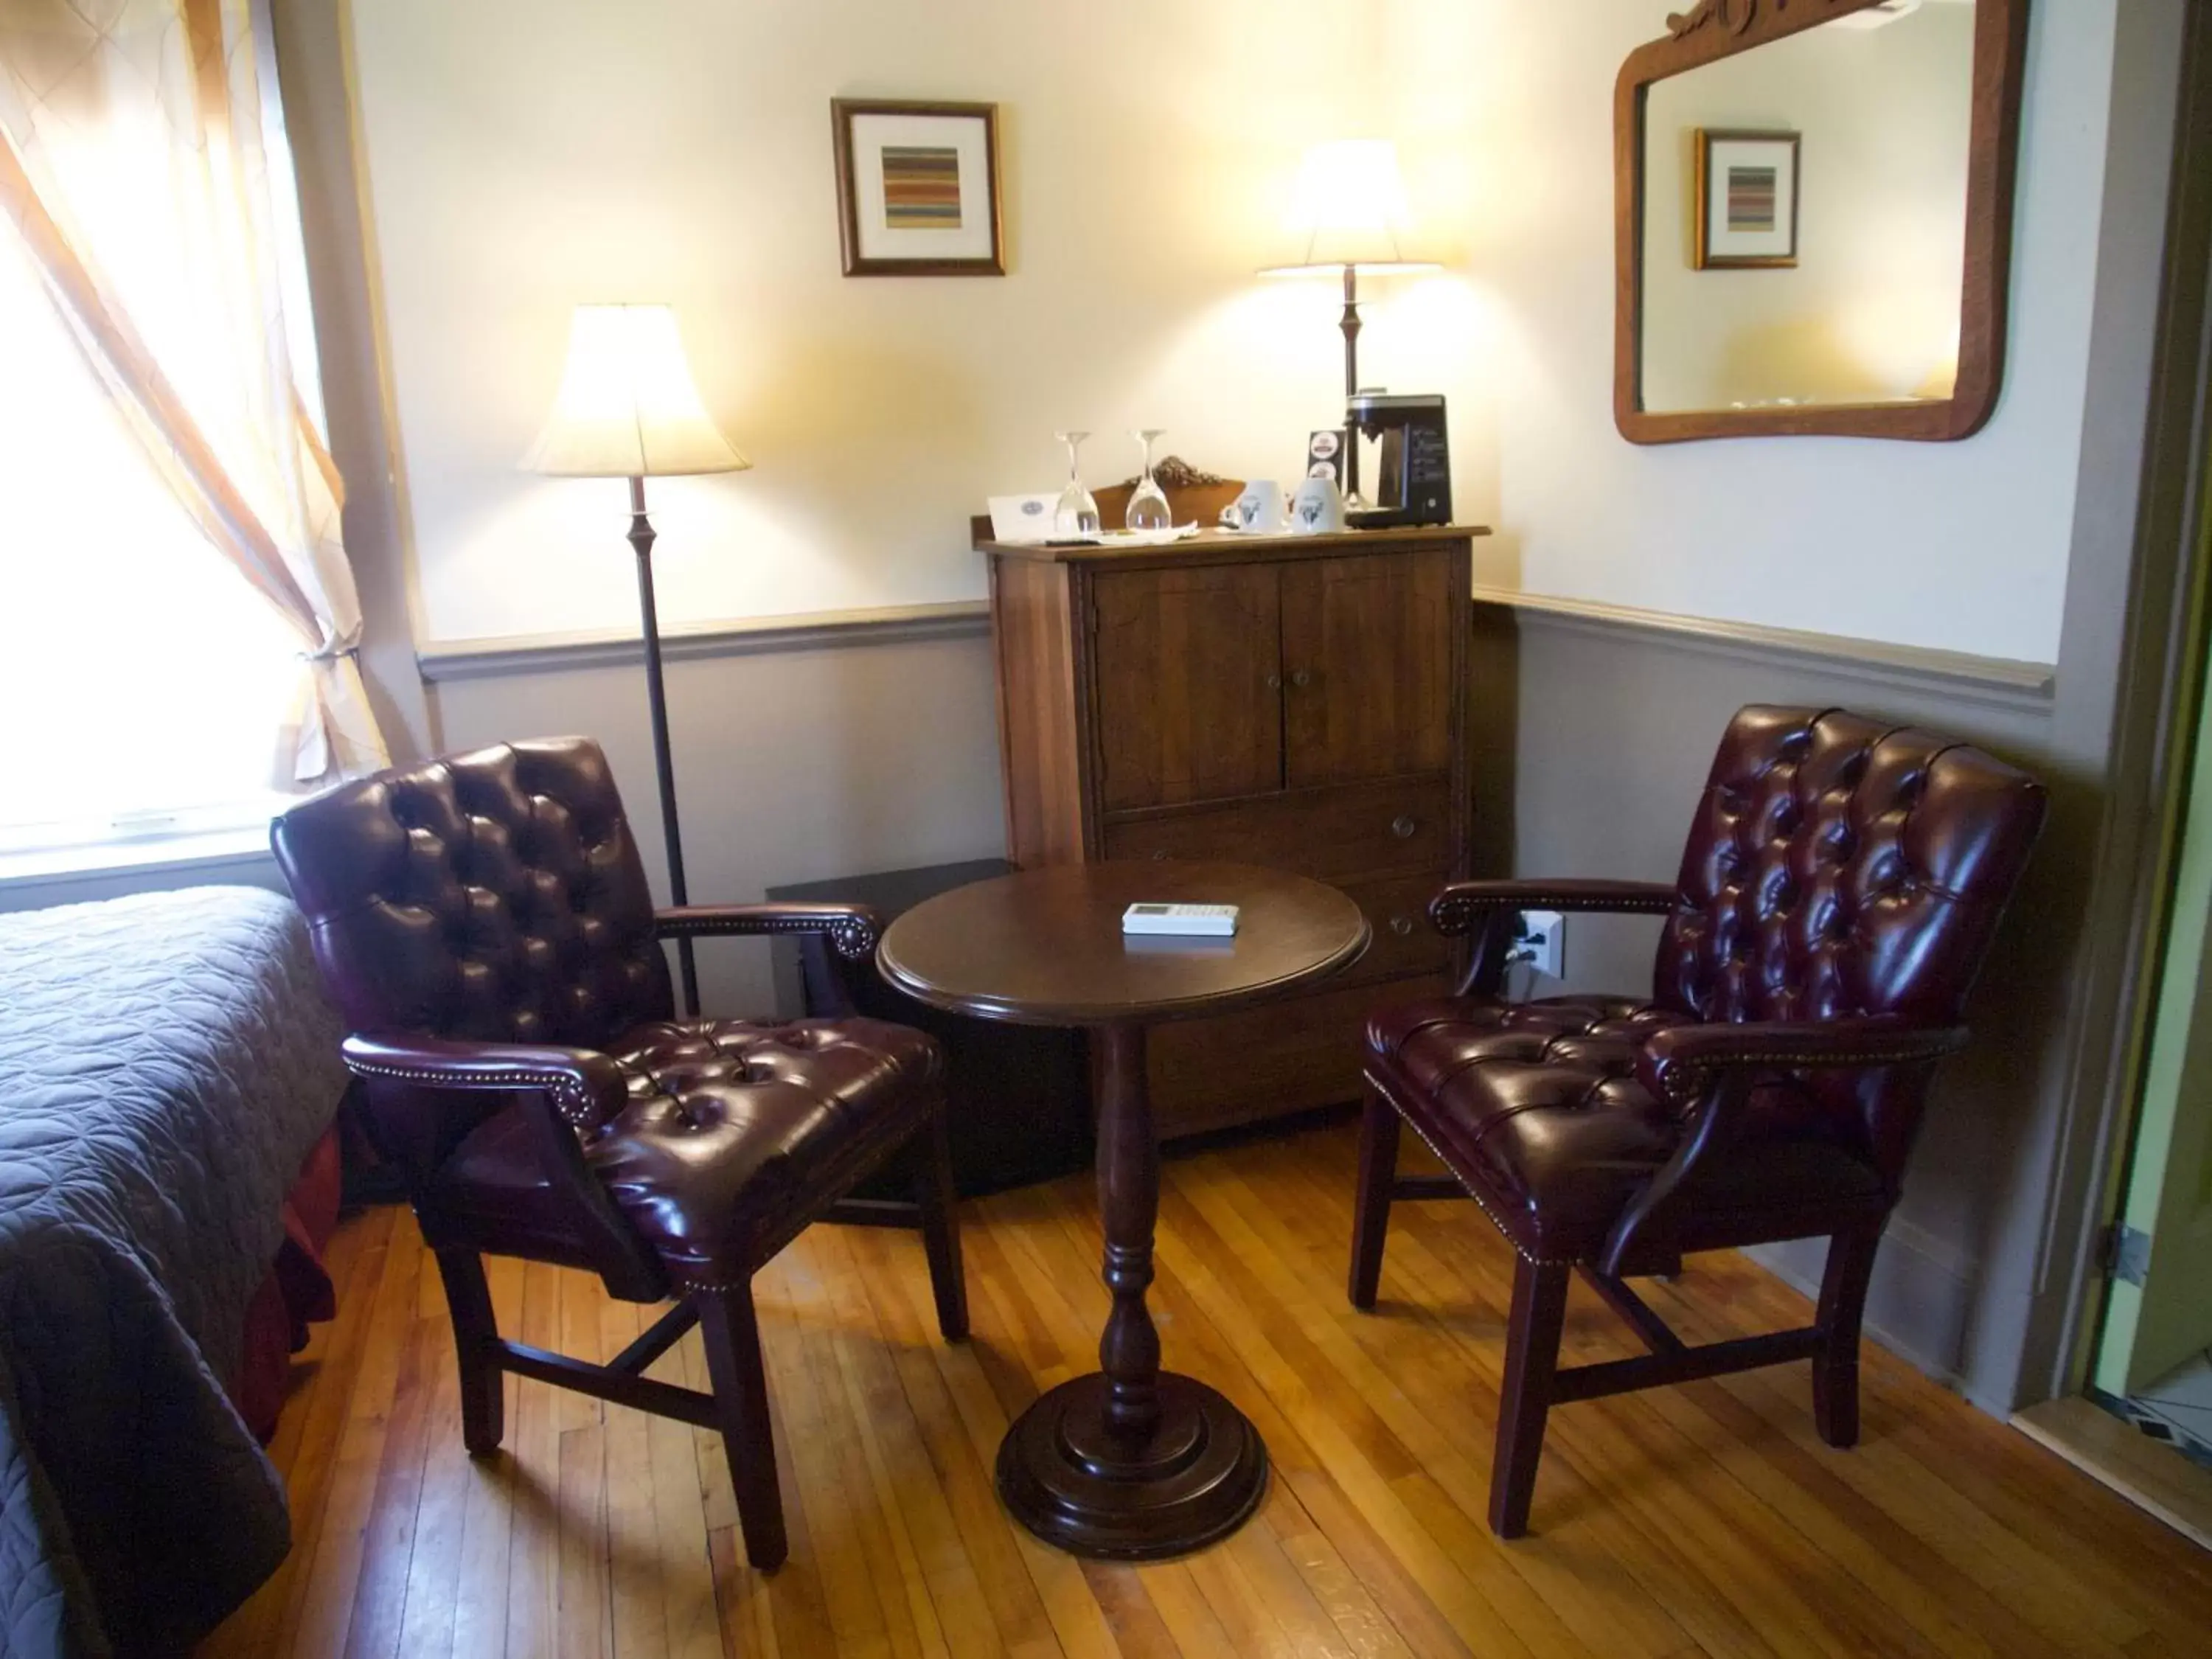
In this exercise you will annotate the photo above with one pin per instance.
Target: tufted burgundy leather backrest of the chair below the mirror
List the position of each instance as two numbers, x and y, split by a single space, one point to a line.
1844 868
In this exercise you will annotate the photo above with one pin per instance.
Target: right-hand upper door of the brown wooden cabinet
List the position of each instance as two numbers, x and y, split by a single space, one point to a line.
1368 667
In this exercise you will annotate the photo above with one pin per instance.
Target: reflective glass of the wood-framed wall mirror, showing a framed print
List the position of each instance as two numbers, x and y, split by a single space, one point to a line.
1806 218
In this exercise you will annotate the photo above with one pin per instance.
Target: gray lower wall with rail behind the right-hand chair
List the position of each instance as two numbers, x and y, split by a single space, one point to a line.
1611 731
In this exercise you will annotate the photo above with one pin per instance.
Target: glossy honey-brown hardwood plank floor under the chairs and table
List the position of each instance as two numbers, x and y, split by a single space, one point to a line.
1695 1521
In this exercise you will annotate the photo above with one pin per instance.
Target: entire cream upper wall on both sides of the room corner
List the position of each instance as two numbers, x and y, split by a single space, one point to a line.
532 154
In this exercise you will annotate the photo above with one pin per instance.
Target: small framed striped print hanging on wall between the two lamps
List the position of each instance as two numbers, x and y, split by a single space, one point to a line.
917 189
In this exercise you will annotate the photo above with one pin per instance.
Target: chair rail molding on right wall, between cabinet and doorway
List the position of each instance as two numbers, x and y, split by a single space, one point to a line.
1959 676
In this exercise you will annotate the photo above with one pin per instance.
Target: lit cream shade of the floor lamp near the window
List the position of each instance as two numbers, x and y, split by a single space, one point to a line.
627 406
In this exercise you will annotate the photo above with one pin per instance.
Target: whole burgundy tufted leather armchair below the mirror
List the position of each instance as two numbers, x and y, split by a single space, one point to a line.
1835 904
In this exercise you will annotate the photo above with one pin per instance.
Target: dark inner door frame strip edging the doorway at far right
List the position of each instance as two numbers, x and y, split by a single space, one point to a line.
2167 634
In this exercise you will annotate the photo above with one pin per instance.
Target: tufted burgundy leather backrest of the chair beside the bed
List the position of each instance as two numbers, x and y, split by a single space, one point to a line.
490 897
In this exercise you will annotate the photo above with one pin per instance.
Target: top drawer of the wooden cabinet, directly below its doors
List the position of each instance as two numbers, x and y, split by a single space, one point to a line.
1348 831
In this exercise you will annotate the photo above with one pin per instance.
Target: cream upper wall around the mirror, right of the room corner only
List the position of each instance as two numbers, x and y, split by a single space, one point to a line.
1507 112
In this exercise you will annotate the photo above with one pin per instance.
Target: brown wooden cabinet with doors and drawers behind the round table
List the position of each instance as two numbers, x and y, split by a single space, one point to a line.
1293 702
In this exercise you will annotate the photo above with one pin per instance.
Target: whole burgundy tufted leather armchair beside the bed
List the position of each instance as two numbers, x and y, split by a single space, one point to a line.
486 928
